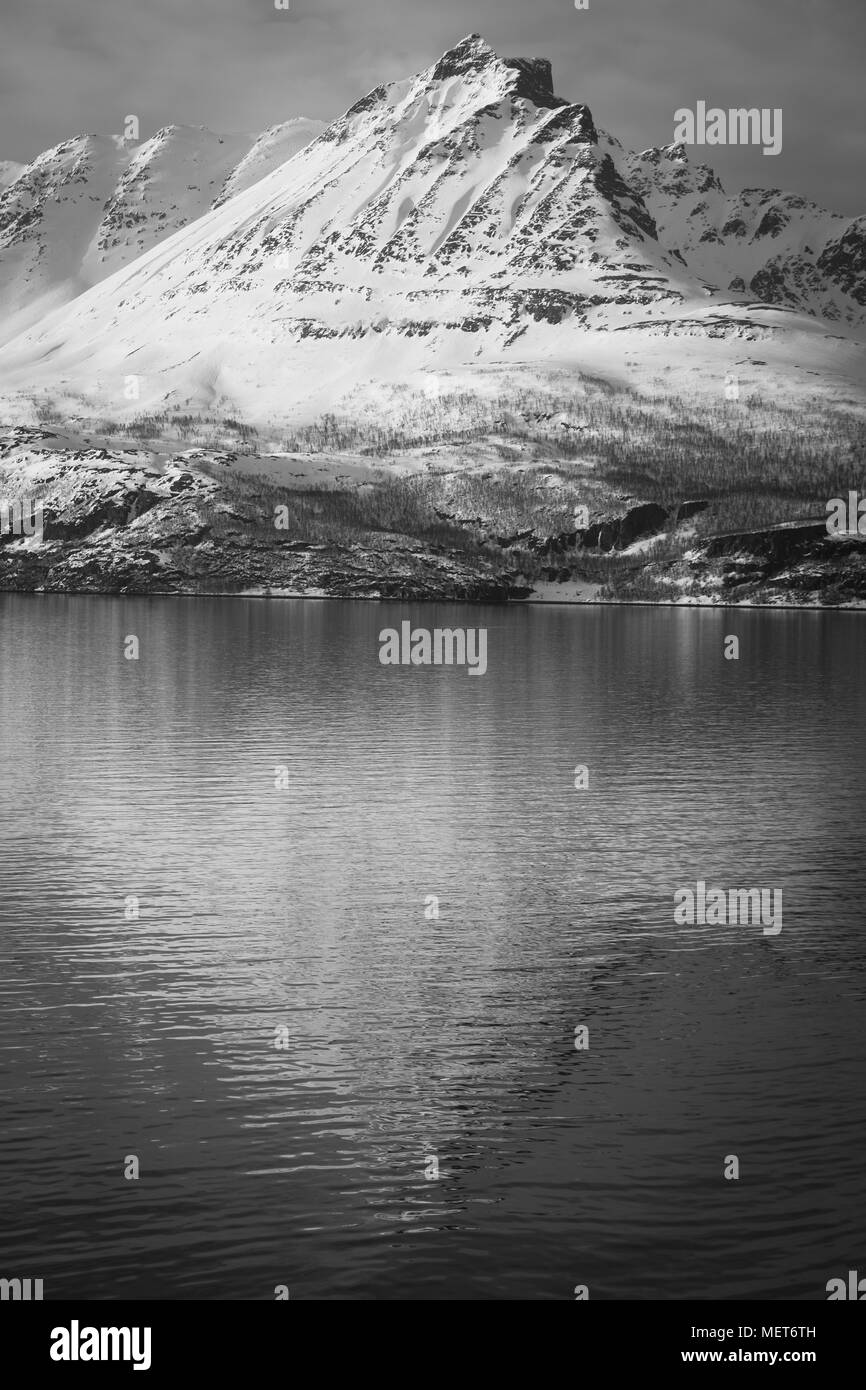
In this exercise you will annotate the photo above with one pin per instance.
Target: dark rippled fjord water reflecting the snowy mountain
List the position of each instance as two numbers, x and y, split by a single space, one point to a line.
411 1038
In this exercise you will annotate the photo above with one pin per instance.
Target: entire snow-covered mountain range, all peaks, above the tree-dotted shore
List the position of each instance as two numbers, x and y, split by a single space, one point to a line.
461 213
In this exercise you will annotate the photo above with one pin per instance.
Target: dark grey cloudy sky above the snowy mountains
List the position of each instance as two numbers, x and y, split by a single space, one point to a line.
81 66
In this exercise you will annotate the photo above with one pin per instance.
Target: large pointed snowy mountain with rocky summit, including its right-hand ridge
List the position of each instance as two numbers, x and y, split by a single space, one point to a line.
462 219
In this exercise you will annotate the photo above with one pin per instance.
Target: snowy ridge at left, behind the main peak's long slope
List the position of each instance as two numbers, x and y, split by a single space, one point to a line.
95 204
